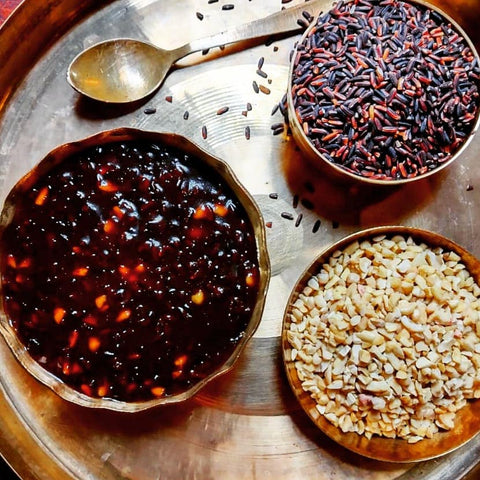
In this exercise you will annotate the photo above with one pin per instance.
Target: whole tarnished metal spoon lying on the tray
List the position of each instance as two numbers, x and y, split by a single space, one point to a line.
125 70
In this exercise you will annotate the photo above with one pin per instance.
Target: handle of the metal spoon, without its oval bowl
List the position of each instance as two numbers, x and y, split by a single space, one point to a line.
280 22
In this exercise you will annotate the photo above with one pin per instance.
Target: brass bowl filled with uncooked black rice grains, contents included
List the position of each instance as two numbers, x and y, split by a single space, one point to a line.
384 91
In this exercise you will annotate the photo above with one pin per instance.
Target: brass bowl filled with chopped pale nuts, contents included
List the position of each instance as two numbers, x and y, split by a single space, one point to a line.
381 343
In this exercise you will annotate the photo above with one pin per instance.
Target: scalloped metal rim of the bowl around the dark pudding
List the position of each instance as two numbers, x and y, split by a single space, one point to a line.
118 135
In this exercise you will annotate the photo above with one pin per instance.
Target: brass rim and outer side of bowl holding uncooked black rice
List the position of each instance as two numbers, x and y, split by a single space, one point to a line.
338 172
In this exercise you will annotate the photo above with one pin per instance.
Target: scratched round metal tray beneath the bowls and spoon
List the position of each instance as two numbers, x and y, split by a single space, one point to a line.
247 424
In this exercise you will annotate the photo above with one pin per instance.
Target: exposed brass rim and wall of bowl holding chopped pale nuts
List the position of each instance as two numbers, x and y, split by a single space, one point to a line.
382 448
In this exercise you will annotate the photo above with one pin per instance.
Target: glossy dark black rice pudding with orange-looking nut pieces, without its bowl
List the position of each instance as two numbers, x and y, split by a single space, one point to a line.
129 270
